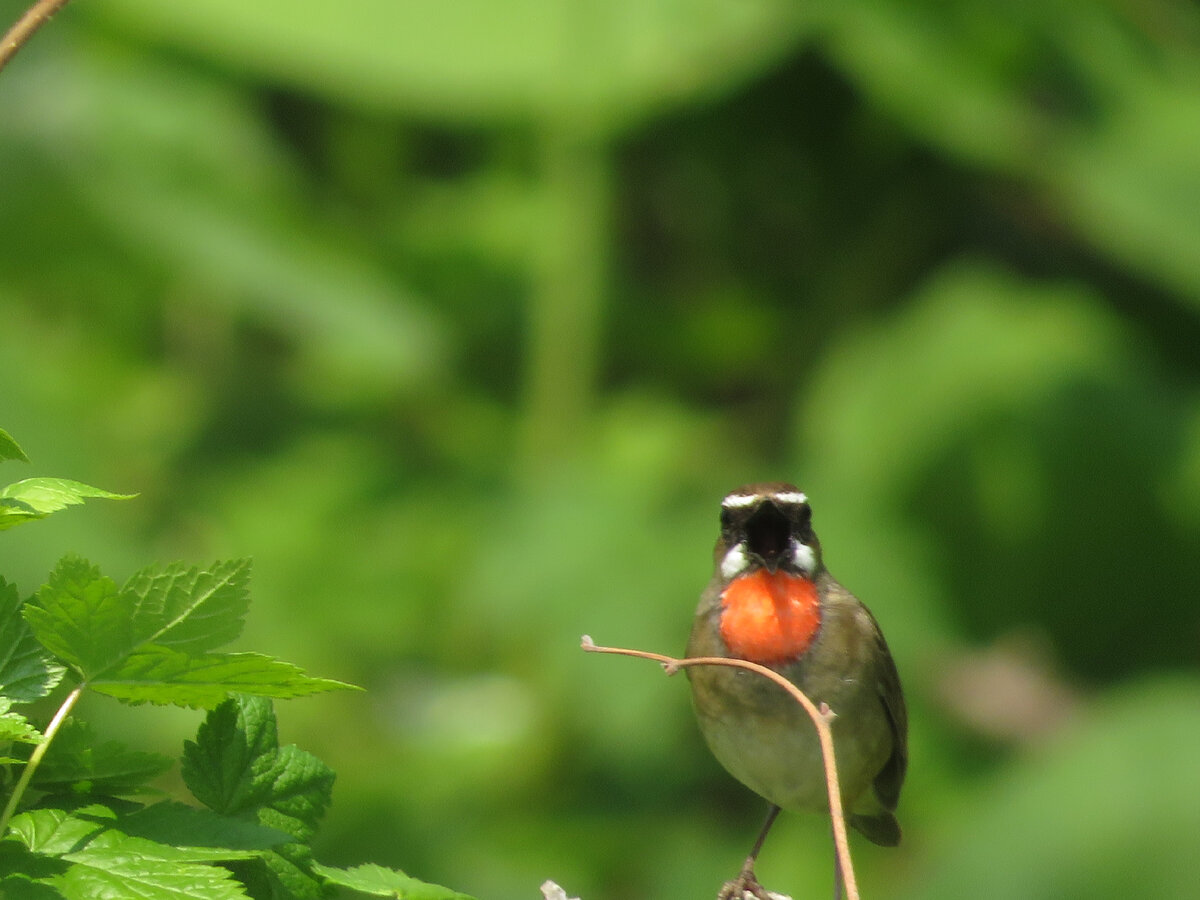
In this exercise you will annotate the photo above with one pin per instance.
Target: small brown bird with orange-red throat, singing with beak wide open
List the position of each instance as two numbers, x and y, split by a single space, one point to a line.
772 602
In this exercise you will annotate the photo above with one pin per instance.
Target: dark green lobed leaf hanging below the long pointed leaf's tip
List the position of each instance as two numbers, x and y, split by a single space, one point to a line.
237 767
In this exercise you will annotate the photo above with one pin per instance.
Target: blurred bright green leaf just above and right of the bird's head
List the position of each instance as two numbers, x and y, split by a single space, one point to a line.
975 341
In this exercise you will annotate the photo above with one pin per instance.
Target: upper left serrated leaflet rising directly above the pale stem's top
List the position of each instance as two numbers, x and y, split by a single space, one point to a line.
81 617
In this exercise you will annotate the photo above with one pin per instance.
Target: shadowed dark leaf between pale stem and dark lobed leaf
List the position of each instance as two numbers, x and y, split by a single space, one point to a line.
76 764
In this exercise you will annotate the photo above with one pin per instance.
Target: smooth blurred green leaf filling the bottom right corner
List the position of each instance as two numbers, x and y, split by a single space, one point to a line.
1107 809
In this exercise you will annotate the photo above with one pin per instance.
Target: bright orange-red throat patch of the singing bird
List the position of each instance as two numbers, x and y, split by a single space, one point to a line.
770 619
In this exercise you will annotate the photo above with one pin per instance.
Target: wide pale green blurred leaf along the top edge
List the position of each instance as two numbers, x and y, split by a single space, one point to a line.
476 59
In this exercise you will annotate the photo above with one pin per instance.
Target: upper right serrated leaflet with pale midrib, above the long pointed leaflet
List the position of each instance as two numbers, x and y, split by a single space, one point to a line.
191 610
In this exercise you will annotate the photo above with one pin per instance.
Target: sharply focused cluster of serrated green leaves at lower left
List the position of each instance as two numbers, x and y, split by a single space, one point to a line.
71 827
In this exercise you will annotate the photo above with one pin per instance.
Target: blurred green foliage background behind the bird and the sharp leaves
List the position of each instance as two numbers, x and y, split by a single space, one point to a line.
461 317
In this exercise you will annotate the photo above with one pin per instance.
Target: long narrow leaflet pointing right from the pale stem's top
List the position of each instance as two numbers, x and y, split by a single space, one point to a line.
161 675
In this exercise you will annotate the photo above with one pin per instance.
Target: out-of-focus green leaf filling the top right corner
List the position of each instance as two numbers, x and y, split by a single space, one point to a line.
1071 98
